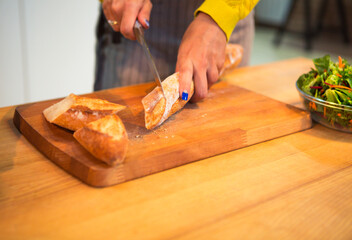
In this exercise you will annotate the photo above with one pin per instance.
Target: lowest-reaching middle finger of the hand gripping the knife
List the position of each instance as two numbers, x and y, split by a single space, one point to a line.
128 20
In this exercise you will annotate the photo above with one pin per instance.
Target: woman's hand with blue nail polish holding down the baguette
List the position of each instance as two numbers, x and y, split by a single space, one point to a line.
201 56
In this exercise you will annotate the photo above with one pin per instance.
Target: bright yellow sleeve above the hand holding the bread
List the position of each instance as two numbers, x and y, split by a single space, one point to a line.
226 13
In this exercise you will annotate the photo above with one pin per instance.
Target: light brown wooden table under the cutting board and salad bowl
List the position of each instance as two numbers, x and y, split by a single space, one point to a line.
294 187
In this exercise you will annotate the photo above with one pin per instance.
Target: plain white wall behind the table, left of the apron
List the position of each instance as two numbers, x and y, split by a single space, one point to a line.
47 49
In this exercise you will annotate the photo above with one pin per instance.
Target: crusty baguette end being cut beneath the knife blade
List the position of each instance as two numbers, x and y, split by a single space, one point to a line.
157 108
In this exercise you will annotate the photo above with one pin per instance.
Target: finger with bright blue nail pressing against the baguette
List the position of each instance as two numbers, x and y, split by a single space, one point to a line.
185 79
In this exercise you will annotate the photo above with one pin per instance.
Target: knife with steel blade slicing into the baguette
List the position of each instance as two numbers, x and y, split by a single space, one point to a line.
139 32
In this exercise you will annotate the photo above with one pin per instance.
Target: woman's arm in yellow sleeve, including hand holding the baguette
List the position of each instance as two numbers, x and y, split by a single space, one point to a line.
202 51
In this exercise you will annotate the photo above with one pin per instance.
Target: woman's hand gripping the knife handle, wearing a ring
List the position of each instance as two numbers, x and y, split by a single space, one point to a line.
123 14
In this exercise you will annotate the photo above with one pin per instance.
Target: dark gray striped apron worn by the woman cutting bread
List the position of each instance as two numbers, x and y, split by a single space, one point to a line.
121 62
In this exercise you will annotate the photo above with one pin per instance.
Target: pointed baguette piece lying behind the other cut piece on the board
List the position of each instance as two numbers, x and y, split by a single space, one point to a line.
74 112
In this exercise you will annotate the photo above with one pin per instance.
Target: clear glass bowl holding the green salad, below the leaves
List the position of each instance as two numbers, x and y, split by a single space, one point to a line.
329 114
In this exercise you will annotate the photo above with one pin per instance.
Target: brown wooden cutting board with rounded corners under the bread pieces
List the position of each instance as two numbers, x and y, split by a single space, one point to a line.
230 118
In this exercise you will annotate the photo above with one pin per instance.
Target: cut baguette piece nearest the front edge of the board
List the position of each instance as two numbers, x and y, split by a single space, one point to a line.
105 138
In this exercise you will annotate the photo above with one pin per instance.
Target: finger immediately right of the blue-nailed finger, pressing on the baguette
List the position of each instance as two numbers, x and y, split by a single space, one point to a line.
200 84
